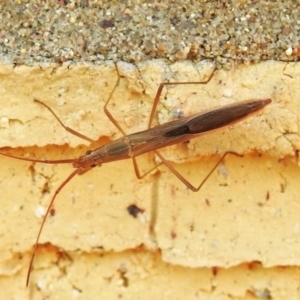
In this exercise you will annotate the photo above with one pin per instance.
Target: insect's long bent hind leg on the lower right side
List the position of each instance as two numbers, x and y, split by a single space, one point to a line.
184 180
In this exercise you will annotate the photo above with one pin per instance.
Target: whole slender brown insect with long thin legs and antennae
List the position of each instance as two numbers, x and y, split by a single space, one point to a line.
152 139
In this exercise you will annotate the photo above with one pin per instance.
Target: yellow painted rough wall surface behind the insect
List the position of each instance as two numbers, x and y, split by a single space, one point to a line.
237 238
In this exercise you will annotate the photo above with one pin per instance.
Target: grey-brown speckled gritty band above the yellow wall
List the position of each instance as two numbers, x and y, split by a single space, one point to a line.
94 31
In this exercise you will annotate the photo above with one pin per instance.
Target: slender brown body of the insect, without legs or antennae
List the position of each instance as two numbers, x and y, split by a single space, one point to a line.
170 133
